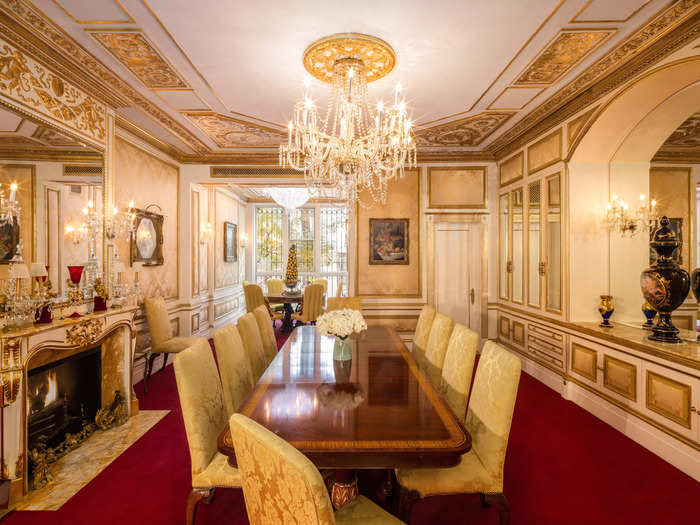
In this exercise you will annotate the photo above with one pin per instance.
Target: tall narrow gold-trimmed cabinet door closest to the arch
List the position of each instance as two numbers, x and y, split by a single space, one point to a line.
553 244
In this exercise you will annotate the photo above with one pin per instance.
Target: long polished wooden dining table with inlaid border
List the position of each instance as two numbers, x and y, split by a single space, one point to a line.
377 410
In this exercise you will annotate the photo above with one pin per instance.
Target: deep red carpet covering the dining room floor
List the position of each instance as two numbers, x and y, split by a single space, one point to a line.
563 466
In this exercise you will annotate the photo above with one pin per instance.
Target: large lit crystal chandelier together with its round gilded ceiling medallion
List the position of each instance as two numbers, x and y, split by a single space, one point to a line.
354 149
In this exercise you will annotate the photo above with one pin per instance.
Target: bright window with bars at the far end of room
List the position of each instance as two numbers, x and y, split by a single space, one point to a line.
320 234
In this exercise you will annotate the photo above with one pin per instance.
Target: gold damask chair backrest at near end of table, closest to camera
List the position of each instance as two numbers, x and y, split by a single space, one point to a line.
280 484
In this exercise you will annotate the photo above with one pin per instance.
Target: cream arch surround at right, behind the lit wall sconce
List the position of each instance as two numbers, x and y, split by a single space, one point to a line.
613 157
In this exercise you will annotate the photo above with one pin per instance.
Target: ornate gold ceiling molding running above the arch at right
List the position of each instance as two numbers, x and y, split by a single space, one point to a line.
666 32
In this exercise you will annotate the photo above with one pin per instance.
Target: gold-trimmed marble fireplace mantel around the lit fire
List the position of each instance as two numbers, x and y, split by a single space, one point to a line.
26 348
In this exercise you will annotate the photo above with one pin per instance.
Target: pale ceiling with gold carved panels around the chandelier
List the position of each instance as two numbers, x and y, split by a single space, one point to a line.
220 78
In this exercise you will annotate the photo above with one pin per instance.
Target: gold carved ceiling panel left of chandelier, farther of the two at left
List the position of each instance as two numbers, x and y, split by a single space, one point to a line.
228 132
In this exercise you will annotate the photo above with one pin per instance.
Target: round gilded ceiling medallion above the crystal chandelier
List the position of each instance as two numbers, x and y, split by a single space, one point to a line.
377 56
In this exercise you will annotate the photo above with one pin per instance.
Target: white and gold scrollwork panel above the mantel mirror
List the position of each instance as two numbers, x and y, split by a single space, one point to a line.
26 81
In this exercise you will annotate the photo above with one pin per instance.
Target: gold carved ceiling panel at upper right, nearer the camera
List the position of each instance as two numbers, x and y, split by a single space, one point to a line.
566 50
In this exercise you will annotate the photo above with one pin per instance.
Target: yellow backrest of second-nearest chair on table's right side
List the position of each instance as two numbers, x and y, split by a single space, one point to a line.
458 368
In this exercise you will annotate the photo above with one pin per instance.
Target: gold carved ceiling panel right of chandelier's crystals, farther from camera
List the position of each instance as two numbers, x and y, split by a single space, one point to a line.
470 131
